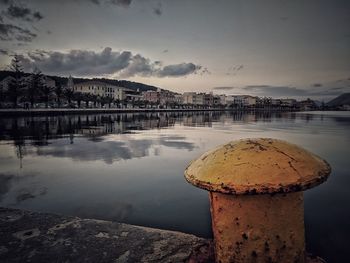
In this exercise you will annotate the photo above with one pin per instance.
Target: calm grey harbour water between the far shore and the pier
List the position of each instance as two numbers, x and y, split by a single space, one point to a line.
129 167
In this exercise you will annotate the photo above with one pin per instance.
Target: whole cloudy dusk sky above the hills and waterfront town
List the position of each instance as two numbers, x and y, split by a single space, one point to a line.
279 48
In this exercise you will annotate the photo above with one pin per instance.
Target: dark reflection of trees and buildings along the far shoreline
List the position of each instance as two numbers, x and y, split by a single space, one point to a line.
39 130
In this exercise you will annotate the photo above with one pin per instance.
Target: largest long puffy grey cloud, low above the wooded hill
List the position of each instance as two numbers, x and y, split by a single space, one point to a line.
106 62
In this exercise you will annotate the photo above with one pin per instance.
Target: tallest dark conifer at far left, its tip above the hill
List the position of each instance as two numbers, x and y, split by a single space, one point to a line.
15 87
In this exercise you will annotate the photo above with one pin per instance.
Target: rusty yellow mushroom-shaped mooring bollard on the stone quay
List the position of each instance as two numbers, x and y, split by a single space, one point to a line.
256 198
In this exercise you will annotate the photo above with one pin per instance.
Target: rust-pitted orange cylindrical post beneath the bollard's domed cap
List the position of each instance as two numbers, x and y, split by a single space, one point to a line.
258 228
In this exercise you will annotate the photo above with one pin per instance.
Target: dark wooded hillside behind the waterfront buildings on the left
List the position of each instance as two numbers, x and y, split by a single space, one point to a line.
63 81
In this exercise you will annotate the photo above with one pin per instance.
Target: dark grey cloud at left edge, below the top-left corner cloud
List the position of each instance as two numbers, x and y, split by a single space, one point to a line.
10 32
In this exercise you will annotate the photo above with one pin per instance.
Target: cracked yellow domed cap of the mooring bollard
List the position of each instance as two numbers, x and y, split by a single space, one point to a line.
257 166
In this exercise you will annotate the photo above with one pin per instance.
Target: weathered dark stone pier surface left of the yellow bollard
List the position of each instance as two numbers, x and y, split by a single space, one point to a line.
40 237
